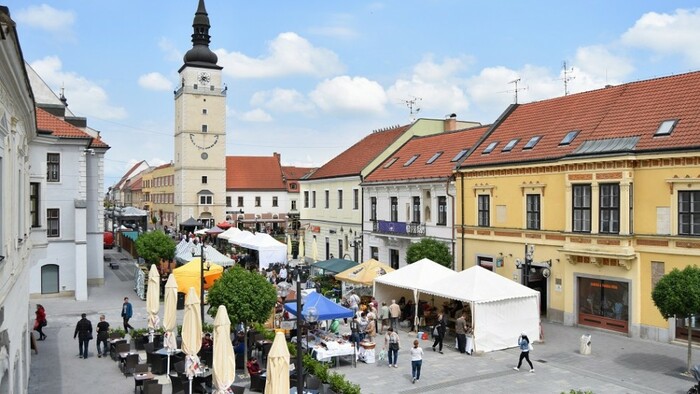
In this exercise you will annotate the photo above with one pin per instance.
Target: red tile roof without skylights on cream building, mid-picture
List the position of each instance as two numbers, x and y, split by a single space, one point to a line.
358 156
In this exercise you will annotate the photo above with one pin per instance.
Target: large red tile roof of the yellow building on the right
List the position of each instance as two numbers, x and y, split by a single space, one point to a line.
634 109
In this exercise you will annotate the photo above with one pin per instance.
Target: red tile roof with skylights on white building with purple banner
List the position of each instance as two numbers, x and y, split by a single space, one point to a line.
450 144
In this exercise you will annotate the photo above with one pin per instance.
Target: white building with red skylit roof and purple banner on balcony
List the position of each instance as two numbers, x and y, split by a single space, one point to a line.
411 195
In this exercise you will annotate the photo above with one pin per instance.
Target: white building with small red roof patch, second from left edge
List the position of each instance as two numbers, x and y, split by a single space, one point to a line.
66 209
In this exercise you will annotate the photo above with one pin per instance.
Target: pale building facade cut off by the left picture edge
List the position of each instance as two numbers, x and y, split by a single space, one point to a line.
17 131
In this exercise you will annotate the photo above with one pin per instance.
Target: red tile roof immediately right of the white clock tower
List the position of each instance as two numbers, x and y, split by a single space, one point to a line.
253 173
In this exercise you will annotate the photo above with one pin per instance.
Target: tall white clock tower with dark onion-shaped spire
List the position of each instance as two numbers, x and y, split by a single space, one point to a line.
200 131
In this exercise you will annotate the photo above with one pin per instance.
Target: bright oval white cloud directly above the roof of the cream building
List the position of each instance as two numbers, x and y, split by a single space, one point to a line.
349 95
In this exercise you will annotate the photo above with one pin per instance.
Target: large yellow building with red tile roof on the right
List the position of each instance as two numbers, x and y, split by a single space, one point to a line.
589 198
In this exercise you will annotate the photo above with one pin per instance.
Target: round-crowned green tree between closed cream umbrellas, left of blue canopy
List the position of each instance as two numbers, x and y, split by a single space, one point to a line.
249 298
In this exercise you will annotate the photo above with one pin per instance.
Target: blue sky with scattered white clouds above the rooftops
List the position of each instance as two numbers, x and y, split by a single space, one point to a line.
309 79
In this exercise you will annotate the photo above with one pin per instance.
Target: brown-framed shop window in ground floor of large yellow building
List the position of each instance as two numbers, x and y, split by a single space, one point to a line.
604 303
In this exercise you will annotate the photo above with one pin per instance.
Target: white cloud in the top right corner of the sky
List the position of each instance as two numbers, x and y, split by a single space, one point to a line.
667 34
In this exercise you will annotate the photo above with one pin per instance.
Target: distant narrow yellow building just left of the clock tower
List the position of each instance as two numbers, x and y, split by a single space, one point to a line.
158 188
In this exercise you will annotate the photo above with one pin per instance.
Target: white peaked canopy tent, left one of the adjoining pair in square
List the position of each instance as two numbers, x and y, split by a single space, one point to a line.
417 278
